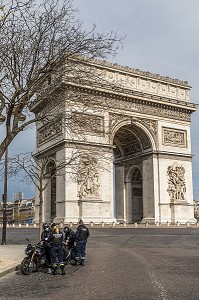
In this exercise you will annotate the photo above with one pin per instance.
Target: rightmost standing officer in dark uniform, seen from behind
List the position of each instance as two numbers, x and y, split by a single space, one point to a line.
82 234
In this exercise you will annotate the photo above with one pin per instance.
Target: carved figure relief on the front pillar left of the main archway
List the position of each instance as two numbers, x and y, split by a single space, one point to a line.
88 178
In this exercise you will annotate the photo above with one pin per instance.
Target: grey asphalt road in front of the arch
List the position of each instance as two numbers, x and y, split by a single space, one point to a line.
126 263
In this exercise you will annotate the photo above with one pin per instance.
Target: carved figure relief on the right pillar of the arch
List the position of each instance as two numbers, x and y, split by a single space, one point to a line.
176 183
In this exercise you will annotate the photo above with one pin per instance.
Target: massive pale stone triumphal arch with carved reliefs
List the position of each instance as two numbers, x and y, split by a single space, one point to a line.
133 131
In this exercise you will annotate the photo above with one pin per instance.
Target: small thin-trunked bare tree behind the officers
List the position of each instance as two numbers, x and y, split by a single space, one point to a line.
40 170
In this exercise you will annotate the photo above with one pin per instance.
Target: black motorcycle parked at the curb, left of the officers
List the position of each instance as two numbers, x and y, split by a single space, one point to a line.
35 258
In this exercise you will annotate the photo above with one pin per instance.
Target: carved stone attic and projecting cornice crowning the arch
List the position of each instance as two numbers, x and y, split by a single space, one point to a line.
170 92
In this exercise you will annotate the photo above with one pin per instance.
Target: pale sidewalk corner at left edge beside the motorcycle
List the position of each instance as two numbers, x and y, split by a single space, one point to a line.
10 257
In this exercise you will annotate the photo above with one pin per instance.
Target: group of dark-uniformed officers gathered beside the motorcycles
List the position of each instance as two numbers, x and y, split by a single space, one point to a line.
54 240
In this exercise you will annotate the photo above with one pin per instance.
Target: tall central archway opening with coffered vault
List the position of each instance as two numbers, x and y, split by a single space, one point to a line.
132 164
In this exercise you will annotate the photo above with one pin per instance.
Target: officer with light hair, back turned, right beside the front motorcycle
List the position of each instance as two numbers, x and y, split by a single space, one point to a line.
56 240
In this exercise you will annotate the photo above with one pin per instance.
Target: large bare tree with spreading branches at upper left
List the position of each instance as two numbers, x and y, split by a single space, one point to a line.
38 42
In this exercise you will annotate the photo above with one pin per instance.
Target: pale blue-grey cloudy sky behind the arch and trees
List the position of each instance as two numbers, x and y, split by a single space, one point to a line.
161 37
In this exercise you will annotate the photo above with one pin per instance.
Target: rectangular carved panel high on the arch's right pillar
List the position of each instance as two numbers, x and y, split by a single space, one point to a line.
174 137
